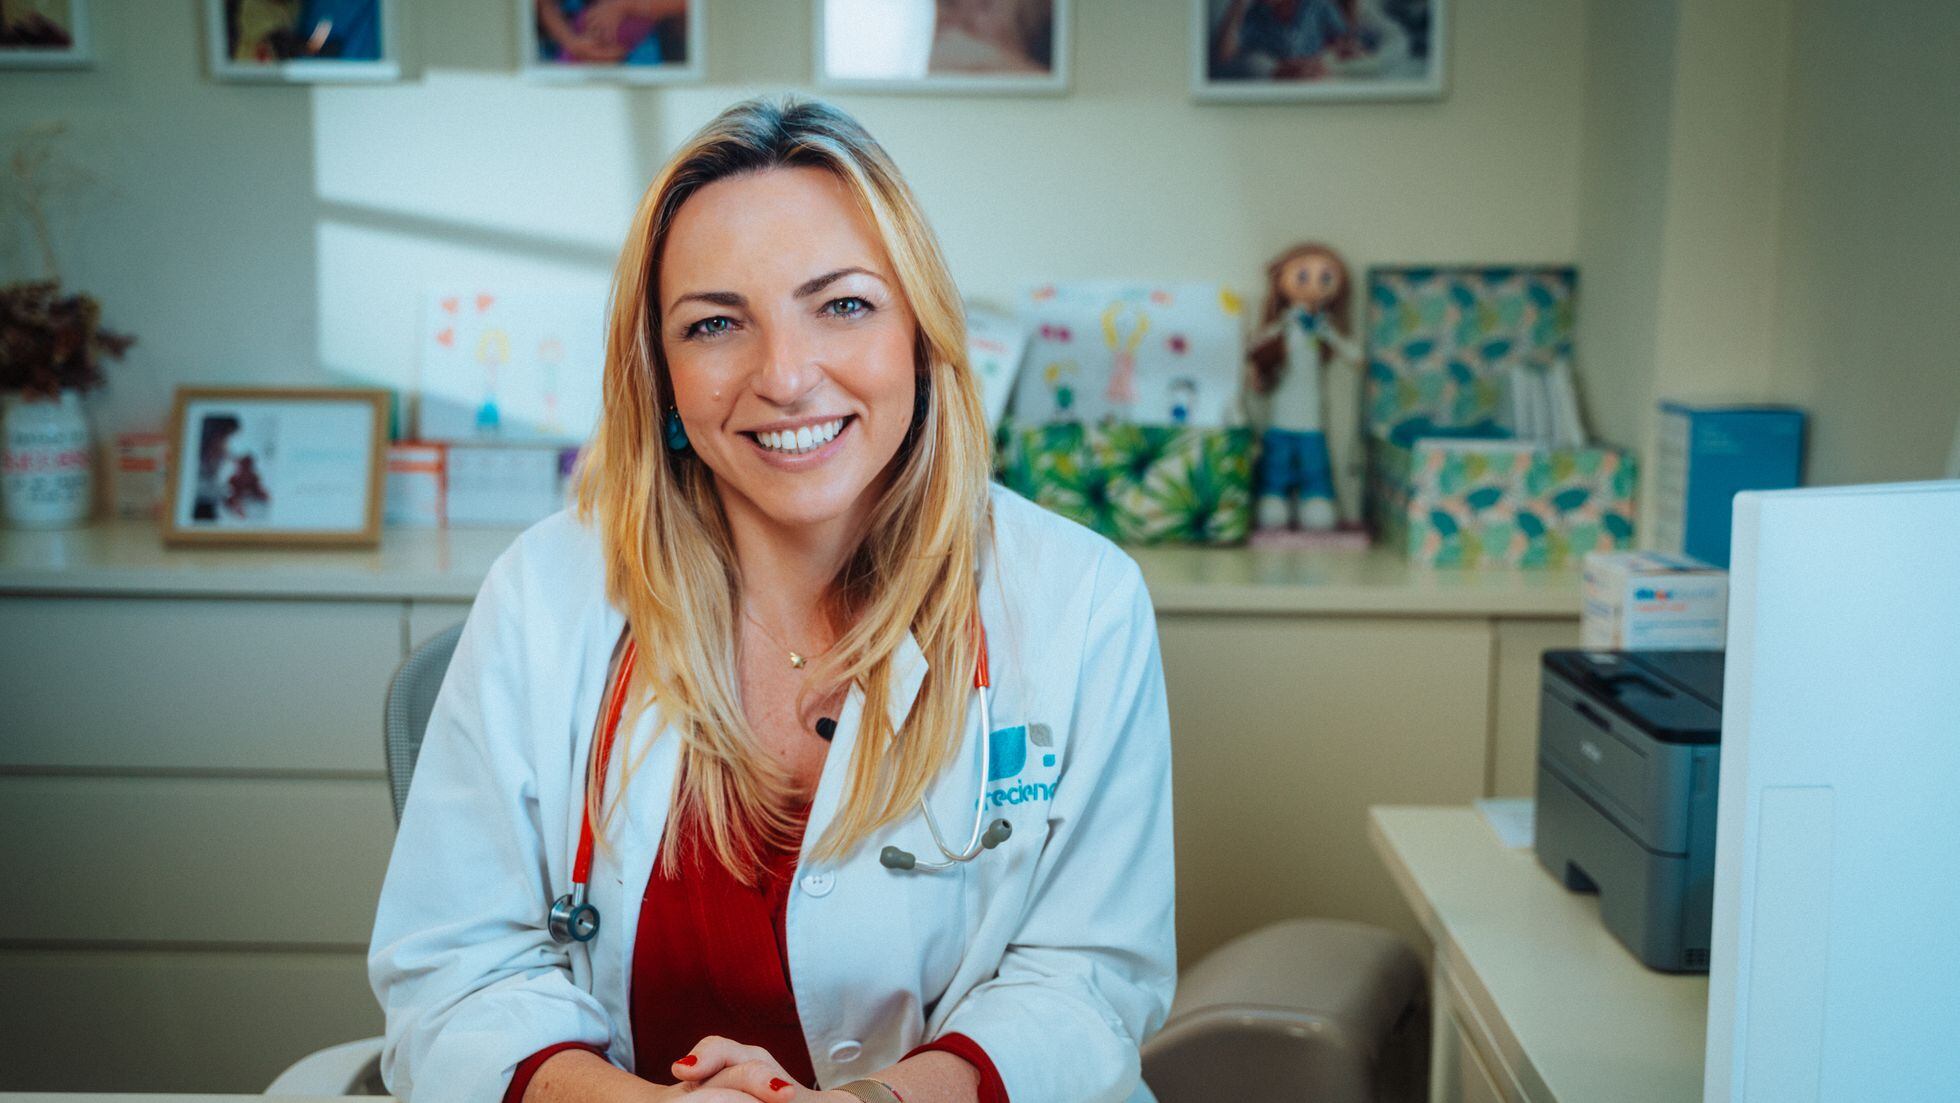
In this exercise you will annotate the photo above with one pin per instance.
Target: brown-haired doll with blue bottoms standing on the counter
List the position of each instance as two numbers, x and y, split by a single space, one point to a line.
1304 332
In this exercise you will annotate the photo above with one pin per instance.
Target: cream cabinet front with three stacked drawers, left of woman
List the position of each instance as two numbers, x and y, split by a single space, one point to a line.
195 828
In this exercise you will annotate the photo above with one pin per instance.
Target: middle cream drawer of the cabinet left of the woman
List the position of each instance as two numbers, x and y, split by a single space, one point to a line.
260 861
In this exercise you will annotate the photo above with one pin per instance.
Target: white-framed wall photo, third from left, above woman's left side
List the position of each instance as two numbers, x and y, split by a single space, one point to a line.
642 42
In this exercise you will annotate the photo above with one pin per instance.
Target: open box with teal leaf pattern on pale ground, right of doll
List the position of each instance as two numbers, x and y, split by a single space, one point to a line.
1481 503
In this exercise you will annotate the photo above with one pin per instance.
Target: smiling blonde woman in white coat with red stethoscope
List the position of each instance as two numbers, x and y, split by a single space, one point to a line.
787 520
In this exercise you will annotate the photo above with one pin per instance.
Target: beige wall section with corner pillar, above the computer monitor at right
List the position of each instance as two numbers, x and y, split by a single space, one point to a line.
1769 215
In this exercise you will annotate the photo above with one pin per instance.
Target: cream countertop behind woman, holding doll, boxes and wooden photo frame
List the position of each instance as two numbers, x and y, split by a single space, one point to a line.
450 565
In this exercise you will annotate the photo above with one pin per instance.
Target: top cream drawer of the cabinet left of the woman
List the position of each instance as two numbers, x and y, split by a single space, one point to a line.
197 685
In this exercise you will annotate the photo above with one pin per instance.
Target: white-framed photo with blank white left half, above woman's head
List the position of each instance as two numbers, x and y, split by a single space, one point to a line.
944 46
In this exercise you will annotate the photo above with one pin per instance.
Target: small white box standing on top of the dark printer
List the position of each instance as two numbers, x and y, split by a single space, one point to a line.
1653 602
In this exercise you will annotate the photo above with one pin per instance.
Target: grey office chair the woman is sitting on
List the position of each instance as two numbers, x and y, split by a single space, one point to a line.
354 1069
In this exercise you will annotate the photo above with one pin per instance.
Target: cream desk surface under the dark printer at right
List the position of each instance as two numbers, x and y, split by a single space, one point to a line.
1577 1016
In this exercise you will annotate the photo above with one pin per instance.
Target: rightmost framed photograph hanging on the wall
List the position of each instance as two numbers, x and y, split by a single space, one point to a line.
1318 50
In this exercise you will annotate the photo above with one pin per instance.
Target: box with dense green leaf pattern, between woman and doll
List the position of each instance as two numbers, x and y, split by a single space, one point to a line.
1140 485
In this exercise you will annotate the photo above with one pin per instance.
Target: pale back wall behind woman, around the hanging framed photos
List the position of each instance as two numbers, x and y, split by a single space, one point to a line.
283 234
